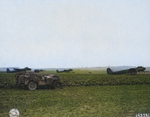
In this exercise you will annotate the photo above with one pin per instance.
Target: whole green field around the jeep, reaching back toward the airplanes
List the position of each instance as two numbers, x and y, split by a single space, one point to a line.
84 94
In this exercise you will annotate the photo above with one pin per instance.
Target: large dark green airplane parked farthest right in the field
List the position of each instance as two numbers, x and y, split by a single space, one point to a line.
132 71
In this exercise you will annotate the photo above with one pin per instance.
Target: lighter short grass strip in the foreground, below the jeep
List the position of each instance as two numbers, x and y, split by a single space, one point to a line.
83 101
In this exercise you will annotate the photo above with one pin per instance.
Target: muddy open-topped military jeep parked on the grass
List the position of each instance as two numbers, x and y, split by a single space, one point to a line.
32 80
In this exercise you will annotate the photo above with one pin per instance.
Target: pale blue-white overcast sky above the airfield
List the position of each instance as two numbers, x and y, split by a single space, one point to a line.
74 33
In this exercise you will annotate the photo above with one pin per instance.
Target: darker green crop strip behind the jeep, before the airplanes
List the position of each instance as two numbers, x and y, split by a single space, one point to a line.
70 79
